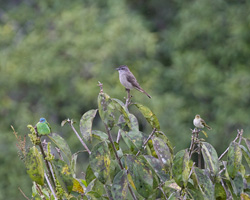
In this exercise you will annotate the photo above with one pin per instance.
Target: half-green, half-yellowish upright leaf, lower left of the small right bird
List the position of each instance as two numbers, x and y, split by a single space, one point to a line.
181 168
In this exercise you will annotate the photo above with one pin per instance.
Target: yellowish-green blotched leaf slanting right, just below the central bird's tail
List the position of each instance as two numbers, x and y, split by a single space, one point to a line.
149 115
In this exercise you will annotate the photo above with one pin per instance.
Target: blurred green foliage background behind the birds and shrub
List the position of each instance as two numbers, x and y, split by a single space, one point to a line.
190 56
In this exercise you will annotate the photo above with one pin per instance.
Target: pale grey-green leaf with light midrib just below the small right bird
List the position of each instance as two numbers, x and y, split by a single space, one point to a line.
210 157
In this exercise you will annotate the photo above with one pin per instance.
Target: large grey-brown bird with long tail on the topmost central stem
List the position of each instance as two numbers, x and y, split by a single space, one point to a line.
128 80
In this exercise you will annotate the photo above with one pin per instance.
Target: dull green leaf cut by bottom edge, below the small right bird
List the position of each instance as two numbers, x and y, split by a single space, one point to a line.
205 184
